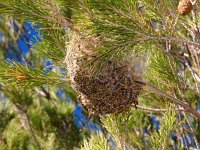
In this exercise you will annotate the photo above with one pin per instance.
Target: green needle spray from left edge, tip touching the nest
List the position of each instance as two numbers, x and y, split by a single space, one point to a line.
18 74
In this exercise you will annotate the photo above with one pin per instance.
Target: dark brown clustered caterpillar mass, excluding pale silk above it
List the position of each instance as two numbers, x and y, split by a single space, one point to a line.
112 91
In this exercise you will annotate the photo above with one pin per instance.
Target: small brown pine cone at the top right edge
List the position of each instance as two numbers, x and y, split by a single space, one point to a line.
184 7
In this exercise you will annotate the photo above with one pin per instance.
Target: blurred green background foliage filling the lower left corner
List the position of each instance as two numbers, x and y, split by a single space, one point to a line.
38 122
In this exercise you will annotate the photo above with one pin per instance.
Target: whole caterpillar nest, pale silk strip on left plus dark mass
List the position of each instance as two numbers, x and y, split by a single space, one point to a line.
115 89
